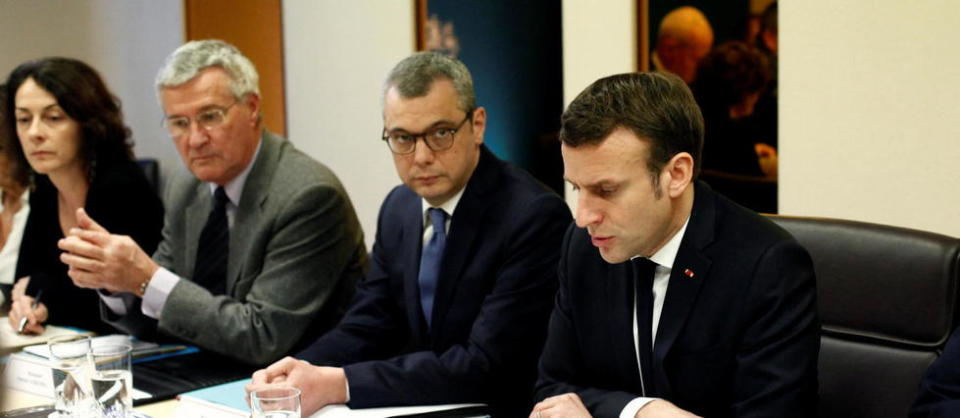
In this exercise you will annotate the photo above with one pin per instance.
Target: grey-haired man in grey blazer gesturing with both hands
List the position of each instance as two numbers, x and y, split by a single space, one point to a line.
261 247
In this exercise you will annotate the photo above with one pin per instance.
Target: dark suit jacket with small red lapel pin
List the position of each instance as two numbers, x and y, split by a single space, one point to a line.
738 335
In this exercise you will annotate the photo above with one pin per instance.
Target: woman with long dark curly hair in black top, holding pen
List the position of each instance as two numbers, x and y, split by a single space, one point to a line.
74 147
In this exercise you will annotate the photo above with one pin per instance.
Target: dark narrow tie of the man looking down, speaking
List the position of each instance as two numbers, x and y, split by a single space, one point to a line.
643 272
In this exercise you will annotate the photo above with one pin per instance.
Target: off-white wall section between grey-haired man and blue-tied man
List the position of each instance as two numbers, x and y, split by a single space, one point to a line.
337 54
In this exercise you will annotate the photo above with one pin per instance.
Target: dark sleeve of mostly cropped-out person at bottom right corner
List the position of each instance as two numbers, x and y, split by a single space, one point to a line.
940 387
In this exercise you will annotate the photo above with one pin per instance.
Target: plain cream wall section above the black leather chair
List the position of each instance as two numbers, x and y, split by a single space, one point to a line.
870 115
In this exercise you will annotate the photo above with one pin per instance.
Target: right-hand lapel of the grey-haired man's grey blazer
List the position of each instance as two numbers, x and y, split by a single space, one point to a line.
249 213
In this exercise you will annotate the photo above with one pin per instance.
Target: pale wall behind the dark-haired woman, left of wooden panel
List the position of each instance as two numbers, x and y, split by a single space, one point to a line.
126 41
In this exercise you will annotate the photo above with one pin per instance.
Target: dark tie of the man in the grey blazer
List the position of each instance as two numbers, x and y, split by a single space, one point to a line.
210 270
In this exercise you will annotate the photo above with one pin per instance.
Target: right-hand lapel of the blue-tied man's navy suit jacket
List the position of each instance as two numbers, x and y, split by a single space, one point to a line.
464 226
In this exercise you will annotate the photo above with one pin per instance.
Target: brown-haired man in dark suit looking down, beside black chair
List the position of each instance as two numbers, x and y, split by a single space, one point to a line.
673 300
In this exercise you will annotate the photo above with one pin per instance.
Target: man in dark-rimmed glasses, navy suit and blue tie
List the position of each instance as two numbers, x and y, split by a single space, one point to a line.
455 305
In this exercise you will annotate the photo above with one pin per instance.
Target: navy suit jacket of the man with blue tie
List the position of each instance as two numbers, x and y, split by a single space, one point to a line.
494 297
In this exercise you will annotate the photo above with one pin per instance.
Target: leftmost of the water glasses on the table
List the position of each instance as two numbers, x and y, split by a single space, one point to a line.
72 367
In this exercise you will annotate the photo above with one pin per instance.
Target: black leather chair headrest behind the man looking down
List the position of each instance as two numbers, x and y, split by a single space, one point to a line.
881 282
